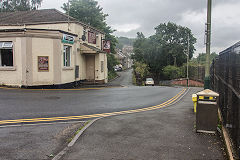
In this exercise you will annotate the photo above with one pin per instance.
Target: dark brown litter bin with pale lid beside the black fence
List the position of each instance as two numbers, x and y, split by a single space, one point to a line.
207 111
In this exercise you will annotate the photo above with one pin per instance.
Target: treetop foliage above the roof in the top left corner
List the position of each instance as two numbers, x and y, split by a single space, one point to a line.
19 5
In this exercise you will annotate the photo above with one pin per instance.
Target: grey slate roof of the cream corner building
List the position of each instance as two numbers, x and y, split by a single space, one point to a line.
33 17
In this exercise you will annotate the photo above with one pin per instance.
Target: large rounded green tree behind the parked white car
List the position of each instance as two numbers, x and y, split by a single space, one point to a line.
167 46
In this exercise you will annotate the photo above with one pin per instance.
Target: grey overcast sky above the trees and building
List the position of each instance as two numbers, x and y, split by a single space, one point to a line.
131 16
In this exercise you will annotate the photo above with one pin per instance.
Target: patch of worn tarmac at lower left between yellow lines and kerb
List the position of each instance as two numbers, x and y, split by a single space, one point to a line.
35 142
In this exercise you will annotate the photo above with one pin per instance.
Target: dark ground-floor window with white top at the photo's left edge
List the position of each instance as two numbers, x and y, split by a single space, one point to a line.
6 54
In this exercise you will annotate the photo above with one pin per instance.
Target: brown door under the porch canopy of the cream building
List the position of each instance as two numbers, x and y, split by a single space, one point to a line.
90 67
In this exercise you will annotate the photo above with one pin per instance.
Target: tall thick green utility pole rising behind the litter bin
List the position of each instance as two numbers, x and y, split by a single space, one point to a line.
208 45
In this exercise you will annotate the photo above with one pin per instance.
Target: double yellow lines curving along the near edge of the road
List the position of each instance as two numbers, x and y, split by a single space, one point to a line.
38 120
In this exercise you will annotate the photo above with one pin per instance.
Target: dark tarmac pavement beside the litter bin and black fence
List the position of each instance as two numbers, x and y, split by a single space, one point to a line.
166 133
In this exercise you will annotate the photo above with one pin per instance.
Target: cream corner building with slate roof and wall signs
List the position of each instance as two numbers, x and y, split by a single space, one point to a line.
46 47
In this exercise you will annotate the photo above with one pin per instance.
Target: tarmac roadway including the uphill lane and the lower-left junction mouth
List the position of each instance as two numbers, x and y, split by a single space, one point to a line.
41 141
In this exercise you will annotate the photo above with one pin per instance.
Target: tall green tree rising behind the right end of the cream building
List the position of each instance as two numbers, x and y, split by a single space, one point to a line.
89 12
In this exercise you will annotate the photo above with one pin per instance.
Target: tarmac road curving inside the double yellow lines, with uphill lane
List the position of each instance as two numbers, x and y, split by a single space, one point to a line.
22 104
